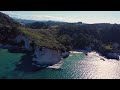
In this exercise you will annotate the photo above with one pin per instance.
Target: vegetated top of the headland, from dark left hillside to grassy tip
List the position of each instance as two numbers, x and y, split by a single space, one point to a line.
10 29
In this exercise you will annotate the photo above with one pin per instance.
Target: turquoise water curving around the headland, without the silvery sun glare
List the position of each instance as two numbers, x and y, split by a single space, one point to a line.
9 60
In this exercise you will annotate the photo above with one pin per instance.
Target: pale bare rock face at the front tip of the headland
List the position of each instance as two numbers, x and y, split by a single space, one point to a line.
46 56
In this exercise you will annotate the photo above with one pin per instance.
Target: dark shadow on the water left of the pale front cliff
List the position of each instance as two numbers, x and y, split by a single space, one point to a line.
25 64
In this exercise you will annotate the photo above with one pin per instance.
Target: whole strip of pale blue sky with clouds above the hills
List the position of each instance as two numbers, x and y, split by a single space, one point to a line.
69 16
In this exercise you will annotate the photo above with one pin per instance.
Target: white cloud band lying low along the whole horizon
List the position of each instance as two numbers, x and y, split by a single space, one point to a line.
84 19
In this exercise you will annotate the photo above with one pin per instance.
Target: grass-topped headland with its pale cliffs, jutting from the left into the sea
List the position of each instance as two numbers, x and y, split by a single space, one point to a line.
41 42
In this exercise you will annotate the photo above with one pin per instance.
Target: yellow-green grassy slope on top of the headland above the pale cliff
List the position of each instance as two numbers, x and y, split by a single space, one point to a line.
42 37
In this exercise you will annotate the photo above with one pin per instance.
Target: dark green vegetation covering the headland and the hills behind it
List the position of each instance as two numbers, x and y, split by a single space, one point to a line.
61 35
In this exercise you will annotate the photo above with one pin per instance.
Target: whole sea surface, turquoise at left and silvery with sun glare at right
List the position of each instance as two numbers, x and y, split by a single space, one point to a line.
76 66
